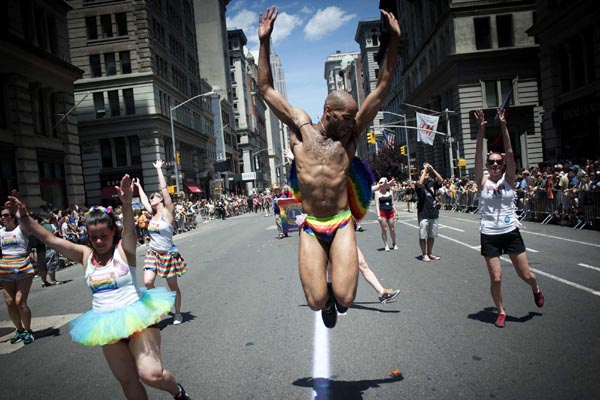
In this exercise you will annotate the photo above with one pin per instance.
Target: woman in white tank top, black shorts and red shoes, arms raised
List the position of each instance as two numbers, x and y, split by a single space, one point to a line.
499 225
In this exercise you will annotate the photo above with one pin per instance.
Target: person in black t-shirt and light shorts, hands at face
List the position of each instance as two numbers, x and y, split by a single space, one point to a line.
428 210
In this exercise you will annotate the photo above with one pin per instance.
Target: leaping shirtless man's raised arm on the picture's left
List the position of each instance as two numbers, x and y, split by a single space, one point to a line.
276 101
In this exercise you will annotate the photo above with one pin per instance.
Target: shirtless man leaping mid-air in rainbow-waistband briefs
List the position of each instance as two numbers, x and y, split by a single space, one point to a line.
323 153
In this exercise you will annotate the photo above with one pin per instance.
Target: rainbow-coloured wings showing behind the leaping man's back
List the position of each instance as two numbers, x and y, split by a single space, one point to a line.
359 182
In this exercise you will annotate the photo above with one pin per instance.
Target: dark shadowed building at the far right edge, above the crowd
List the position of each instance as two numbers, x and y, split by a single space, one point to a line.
569 41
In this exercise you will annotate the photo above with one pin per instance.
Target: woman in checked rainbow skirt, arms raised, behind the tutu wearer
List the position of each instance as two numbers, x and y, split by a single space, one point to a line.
162 256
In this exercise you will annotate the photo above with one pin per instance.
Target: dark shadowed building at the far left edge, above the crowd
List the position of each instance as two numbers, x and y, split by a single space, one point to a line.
39 143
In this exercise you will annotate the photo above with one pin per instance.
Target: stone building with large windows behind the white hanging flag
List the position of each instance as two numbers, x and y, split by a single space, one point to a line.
459 56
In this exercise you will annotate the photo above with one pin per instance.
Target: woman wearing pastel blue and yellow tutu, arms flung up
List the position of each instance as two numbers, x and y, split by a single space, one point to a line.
123 318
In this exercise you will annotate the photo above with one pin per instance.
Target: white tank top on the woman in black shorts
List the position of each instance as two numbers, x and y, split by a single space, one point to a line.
496 202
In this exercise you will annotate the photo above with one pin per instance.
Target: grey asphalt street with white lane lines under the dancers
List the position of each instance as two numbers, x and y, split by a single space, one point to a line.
248 333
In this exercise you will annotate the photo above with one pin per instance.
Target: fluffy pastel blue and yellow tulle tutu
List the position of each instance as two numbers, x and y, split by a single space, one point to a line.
98 329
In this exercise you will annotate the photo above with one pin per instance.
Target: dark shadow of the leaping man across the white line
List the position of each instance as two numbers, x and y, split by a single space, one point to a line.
331 389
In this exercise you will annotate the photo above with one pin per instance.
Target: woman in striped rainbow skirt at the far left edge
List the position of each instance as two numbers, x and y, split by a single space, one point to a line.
16 274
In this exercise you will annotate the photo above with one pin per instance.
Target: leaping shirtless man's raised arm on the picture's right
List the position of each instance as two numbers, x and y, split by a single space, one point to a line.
375 99
